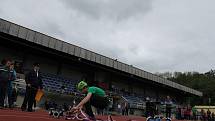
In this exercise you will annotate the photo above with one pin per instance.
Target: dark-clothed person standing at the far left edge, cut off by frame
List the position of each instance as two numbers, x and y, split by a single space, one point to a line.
4 79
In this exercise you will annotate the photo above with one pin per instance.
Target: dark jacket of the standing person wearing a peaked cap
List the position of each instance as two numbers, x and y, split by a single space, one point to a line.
32 79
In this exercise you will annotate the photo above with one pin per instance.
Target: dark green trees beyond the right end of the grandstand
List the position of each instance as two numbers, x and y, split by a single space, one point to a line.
204 82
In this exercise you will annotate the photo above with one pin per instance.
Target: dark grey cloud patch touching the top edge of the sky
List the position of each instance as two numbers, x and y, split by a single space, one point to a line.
110 9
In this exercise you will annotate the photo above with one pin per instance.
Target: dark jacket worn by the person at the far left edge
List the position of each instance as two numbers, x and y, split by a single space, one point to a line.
4 75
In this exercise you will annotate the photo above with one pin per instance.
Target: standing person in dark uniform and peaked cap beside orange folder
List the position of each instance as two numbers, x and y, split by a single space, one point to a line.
33 81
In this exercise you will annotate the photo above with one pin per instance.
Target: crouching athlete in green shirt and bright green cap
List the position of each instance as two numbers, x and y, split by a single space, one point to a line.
94 97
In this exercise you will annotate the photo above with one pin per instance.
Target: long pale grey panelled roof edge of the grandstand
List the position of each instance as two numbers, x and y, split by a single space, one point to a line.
59 45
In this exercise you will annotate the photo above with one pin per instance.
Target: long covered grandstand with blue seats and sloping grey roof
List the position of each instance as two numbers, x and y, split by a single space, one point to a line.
64 64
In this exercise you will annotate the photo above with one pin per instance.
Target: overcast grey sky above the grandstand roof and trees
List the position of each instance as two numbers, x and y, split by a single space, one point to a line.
154 35
